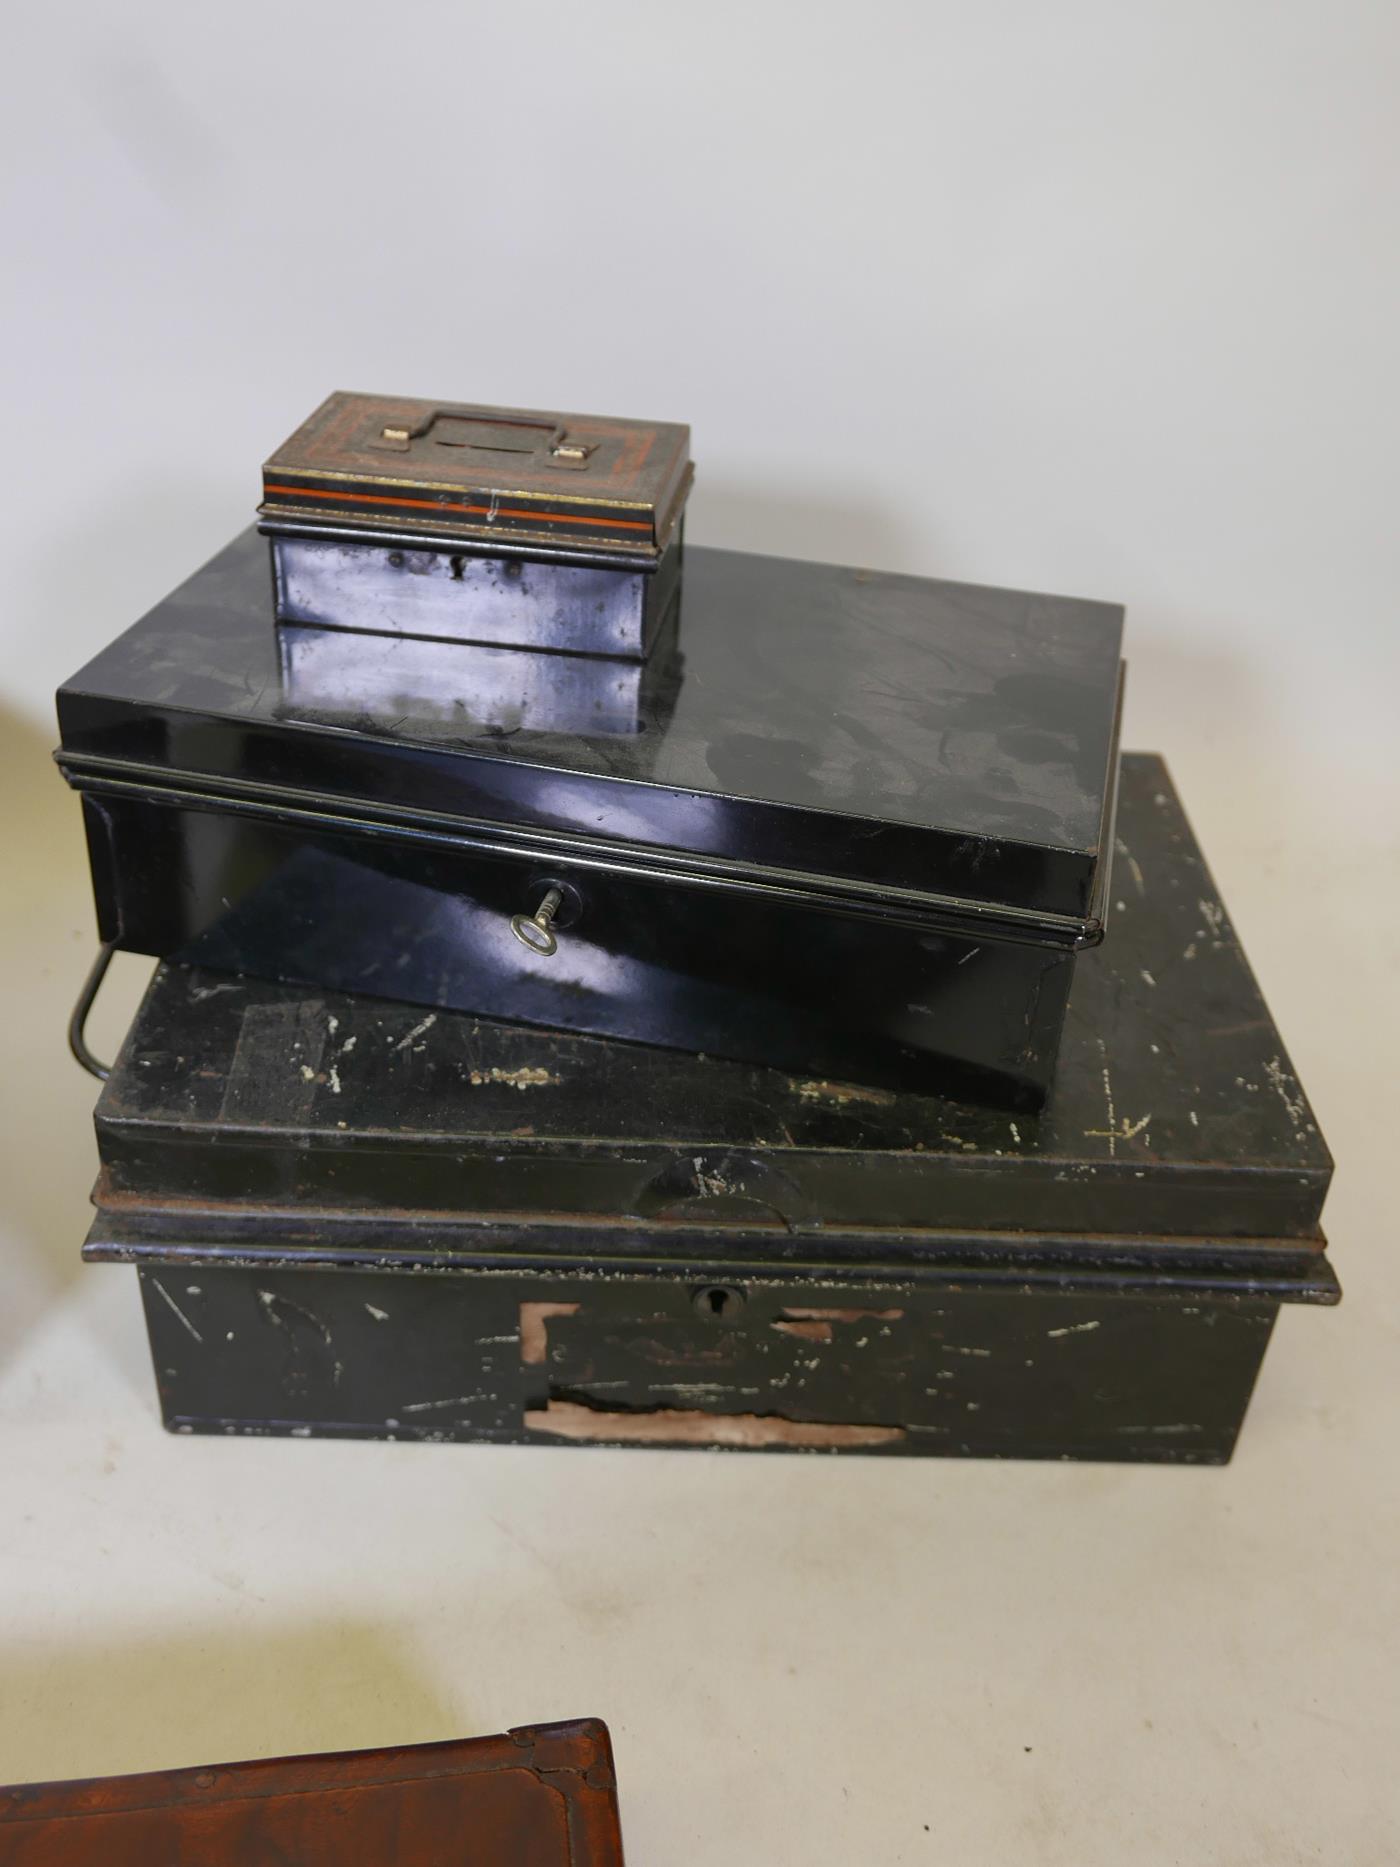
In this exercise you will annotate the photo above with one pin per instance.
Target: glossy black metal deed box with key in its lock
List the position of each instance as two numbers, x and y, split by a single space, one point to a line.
839 822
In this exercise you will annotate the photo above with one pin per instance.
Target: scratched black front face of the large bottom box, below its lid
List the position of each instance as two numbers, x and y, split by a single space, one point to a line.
1009 1373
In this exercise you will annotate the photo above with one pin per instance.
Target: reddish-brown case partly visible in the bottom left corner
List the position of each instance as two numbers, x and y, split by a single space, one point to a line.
540 1797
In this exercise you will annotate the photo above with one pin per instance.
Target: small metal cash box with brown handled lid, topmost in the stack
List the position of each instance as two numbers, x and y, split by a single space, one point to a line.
486 526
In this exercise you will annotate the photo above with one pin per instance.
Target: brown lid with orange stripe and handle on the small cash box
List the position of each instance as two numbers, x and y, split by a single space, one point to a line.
509 479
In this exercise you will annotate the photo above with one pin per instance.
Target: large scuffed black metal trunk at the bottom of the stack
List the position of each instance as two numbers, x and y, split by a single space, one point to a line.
367 1220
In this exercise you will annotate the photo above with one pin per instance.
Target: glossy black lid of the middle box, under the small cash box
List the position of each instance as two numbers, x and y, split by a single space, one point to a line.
912 744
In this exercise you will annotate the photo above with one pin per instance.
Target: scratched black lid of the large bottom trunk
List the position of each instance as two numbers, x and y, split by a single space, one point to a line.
333 1129
